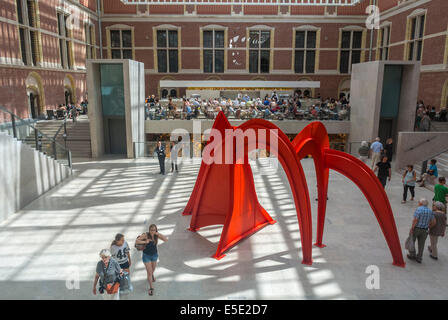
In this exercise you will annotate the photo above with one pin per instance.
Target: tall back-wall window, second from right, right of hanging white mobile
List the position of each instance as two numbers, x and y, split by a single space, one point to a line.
305 51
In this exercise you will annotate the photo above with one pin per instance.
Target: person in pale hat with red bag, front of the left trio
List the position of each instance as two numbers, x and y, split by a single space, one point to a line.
107 271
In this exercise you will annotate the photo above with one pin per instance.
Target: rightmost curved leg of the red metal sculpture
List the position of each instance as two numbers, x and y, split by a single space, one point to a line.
372 189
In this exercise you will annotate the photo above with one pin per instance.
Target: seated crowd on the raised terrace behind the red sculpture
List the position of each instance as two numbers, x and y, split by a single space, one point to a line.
273 107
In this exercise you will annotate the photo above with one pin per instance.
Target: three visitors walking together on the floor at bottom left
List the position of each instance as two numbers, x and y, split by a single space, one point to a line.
113 270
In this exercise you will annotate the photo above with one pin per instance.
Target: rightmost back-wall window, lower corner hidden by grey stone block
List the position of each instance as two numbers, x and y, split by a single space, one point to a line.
351 47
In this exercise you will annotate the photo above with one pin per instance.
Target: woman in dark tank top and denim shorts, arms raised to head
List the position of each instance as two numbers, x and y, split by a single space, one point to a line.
150 254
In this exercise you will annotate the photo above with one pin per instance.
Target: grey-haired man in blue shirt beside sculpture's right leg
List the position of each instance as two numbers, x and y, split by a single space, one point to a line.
423 220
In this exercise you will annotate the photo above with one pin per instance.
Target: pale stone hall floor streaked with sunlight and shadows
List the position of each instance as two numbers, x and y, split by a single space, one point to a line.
56 240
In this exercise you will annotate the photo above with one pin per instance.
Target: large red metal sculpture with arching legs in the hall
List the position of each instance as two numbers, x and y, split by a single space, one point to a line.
225 193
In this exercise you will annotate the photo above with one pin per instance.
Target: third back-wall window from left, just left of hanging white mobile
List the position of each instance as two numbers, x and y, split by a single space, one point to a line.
213 51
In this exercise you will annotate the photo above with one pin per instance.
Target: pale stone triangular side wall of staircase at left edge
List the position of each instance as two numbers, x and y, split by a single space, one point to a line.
25 174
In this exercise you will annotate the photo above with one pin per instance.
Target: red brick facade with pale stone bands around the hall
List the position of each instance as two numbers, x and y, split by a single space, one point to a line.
236 20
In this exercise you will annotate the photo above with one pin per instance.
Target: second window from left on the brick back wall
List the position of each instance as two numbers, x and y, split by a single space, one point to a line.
167 51
